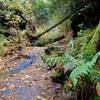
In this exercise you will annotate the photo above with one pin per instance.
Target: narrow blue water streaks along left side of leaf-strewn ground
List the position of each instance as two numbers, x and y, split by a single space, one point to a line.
26 63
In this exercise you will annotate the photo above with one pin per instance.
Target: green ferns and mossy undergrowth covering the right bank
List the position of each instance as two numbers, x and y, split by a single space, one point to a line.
79 59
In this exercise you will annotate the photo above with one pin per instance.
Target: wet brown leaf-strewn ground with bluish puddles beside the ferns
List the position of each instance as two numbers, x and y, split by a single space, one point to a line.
27 82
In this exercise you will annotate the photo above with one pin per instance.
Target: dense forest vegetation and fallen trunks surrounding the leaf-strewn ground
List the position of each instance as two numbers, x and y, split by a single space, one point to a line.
70 31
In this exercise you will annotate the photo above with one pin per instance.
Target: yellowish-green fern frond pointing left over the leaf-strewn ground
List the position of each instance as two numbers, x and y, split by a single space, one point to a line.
65 59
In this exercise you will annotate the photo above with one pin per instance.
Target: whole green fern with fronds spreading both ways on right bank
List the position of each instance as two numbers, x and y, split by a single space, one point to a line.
80 67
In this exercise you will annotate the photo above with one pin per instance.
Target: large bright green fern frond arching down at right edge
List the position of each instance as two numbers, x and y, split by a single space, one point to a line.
83 69
